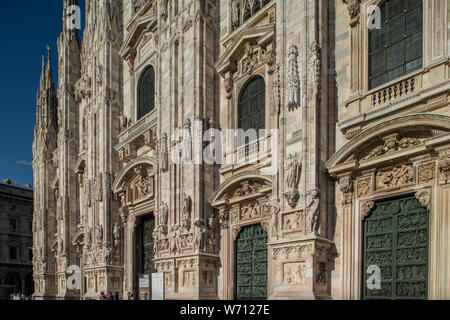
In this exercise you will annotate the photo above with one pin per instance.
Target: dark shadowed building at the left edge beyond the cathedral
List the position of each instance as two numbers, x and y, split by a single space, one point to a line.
16 217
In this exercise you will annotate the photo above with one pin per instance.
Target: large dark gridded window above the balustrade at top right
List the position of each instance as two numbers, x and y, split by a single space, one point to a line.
396 48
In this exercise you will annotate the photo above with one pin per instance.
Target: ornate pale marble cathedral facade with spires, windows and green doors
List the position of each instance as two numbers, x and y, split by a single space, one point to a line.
247 149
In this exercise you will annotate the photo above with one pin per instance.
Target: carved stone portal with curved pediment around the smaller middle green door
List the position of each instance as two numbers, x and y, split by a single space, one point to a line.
243 201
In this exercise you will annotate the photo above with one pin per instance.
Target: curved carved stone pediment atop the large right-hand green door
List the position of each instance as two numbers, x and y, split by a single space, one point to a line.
399 138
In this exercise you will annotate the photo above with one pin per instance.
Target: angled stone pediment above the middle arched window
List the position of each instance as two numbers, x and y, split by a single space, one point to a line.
255 36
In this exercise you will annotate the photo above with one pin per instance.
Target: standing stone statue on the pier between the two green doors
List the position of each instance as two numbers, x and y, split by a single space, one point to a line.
293 170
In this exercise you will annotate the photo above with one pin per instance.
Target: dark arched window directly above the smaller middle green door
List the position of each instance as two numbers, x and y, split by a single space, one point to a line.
252 106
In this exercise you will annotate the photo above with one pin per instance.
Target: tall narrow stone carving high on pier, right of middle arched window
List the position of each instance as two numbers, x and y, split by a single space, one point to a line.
293 80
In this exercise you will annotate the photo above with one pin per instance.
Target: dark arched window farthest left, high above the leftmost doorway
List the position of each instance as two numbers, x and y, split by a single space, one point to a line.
146 92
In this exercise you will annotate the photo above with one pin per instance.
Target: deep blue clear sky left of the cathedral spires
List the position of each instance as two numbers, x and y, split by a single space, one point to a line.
26 27
